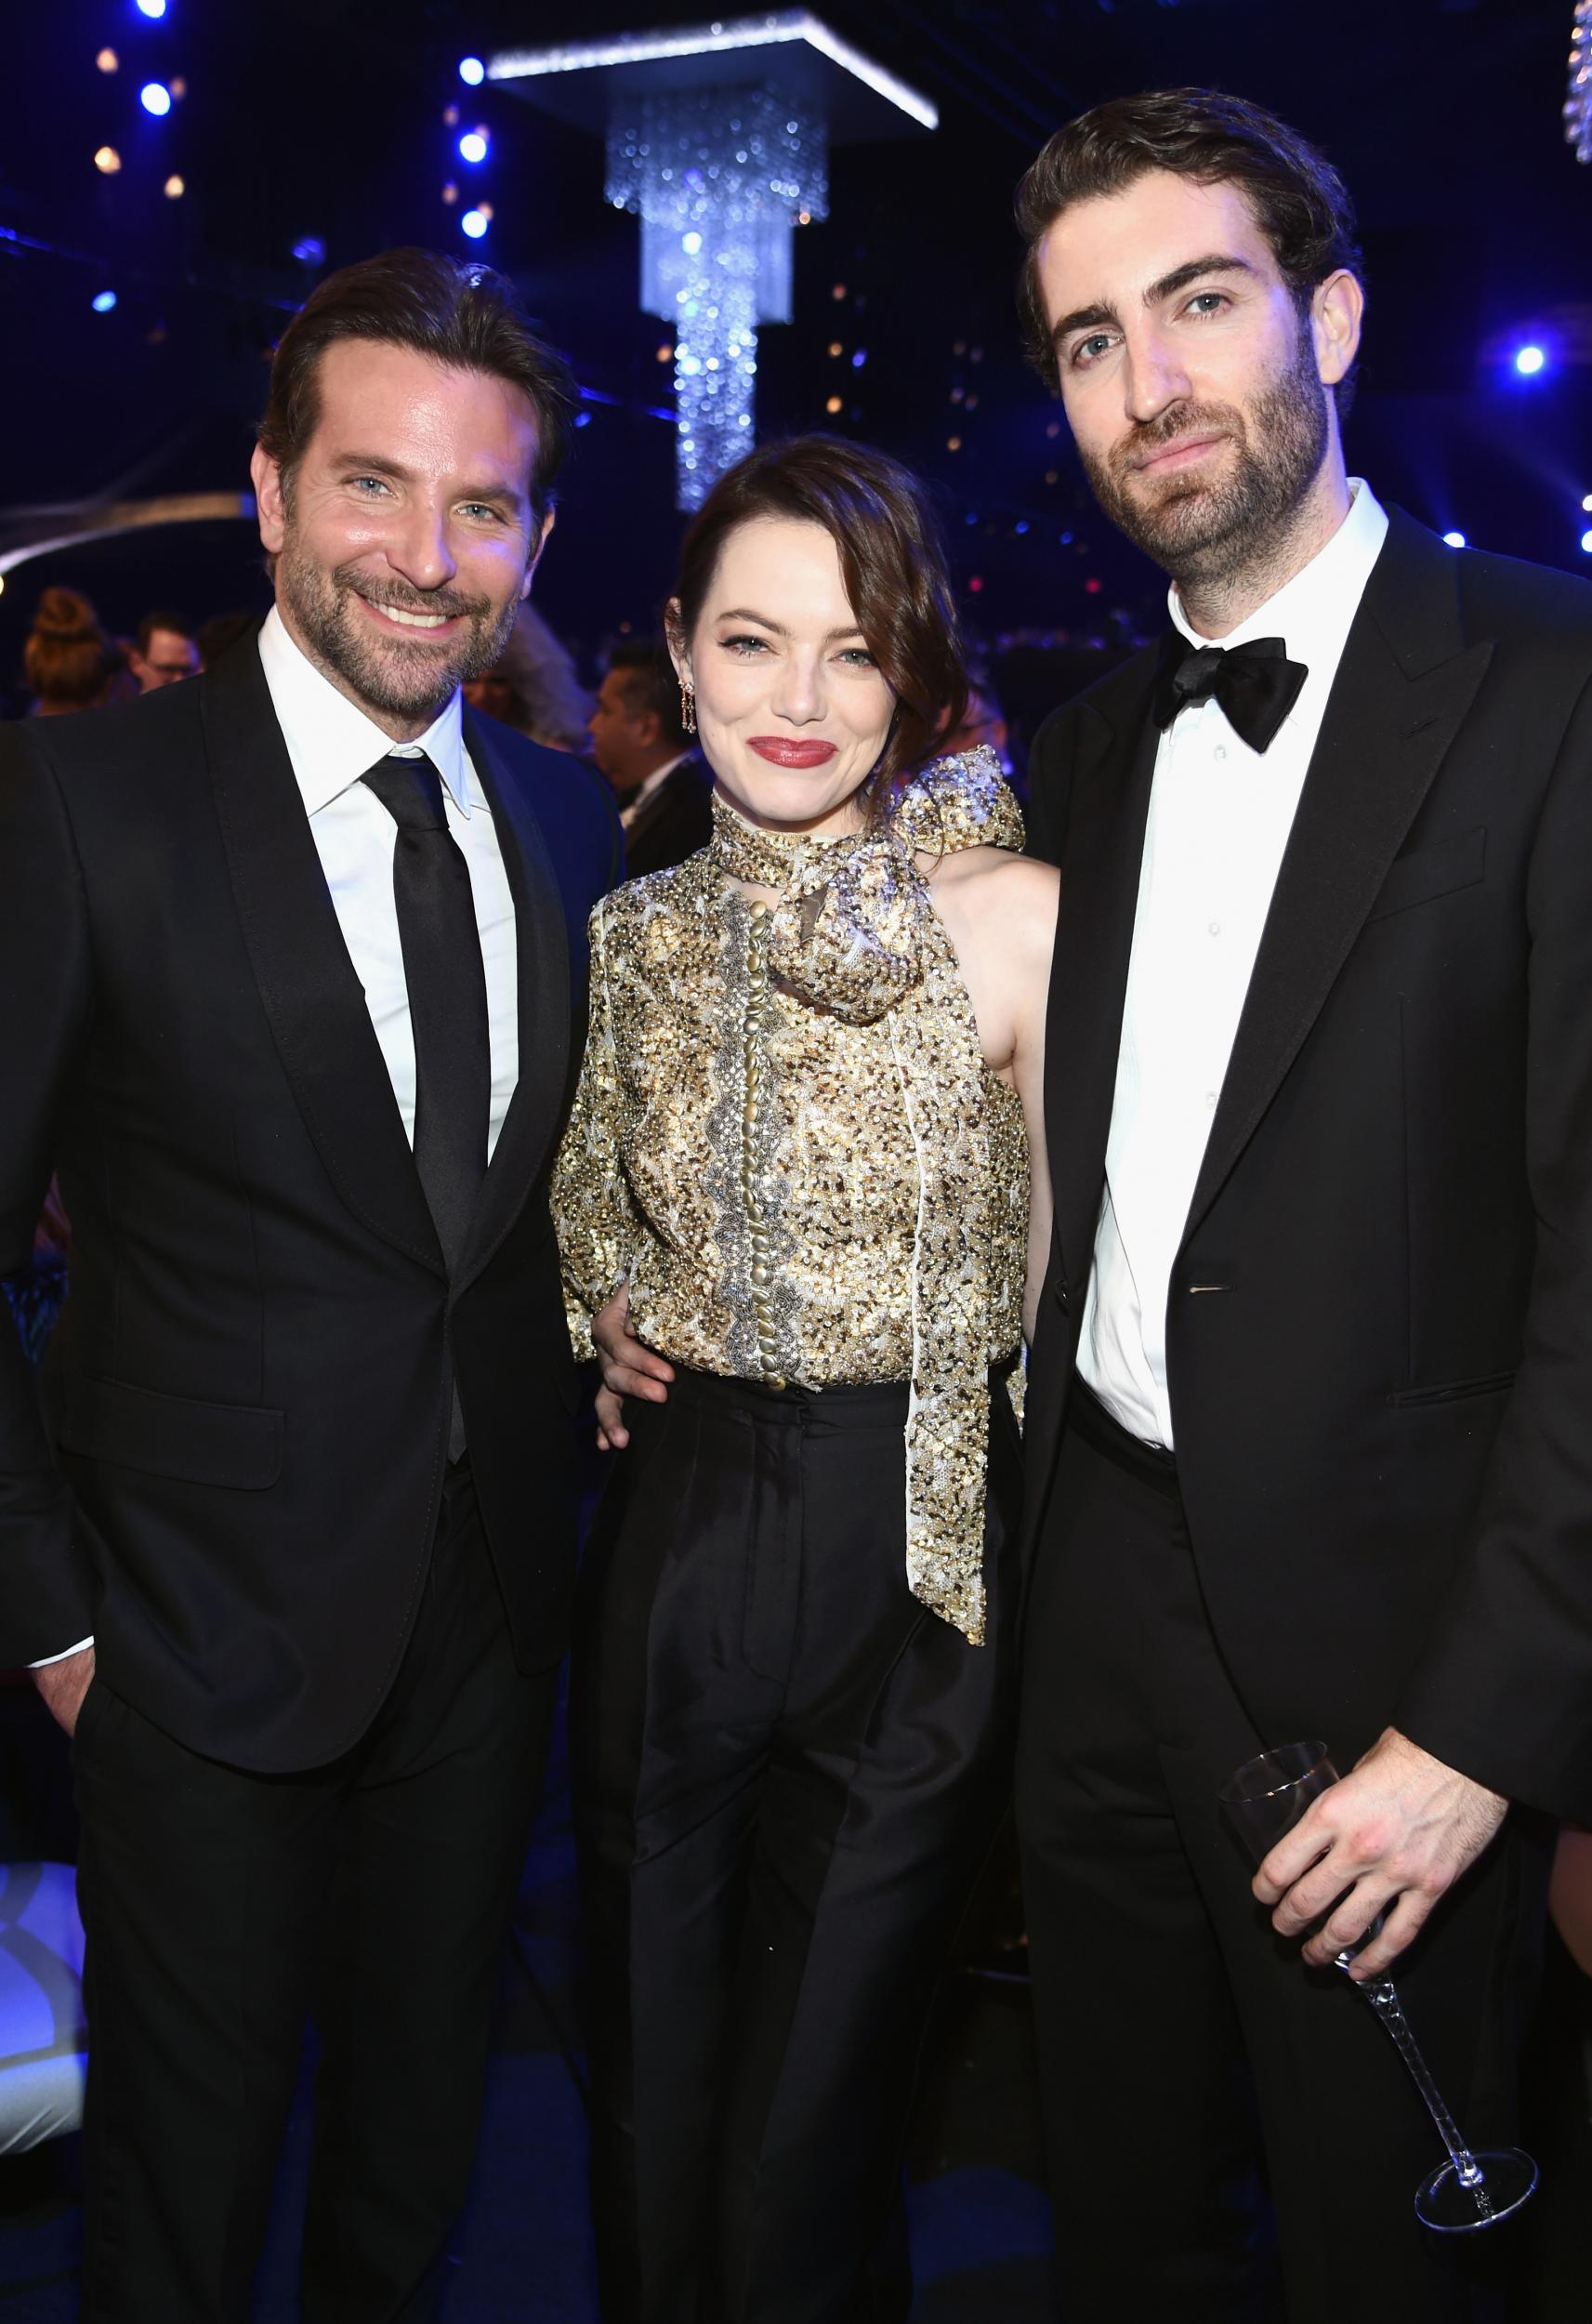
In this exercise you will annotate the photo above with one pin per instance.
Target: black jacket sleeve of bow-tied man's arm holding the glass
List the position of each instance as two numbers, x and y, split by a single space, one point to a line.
1505 1688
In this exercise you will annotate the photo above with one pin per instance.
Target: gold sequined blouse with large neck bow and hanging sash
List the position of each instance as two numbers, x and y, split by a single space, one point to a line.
791 1149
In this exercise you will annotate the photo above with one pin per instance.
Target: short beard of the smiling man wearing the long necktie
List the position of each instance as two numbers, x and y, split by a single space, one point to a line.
389 675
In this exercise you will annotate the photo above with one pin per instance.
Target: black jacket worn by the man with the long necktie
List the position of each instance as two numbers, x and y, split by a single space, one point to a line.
252 1386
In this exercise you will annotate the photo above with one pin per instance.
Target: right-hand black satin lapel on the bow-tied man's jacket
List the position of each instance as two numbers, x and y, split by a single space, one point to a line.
1391 719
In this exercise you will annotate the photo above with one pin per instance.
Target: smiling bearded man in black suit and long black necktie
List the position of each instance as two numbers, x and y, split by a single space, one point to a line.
294 959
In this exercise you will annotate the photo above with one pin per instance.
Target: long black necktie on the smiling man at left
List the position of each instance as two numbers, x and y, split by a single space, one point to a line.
447 1005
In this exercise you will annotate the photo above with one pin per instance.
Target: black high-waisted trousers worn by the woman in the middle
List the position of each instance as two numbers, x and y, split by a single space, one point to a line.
787 1774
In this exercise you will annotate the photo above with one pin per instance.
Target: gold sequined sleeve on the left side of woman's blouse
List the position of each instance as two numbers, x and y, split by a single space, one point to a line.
596 1219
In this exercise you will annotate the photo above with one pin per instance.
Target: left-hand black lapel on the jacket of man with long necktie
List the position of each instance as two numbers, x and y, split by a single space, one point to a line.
313 998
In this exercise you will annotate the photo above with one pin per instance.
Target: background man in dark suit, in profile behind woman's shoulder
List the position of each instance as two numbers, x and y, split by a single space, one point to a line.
643 747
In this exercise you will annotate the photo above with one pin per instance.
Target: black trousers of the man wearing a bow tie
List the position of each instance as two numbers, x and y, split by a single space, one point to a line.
1189 2060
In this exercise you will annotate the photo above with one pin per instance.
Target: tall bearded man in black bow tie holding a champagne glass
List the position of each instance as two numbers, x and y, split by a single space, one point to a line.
1310 1403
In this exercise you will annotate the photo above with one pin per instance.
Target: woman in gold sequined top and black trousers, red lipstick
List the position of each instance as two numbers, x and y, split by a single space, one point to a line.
794 1210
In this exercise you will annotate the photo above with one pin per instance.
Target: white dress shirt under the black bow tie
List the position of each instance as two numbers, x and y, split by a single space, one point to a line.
1212 852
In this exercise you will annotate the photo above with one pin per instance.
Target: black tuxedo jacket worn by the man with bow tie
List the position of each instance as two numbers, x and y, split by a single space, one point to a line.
1379 1328
